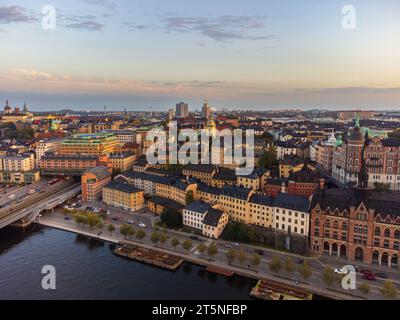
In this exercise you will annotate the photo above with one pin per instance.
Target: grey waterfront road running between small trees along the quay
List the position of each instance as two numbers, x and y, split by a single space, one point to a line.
119 217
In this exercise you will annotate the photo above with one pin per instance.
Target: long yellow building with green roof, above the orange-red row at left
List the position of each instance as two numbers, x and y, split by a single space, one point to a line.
98 144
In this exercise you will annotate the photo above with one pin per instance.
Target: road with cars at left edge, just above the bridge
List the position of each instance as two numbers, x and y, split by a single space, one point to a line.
20 193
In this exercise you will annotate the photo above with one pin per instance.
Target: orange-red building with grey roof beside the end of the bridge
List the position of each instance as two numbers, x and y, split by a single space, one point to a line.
93 180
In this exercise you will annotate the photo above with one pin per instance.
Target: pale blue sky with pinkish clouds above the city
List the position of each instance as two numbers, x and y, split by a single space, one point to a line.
237 54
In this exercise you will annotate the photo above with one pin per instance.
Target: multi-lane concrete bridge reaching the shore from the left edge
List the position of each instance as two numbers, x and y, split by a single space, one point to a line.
29 210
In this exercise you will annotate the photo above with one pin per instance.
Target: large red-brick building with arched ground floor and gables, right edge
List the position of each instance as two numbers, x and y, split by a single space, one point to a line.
358 224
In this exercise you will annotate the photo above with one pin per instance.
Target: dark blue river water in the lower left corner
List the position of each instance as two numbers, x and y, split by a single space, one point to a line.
87 269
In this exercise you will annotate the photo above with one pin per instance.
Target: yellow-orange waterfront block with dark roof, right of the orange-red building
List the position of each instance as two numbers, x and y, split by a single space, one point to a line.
123 195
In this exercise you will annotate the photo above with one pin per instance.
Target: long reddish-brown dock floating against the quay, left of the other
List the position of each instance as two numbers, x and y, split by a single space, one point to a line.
150 256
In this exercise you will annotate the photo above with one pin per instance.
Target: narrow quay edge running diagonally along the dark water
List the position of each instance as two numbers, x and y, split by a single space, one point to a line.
200 261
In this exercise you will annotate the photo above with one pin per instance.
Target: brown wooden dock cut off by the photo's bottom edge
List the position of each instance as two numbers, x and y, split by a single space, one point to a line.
271 290
